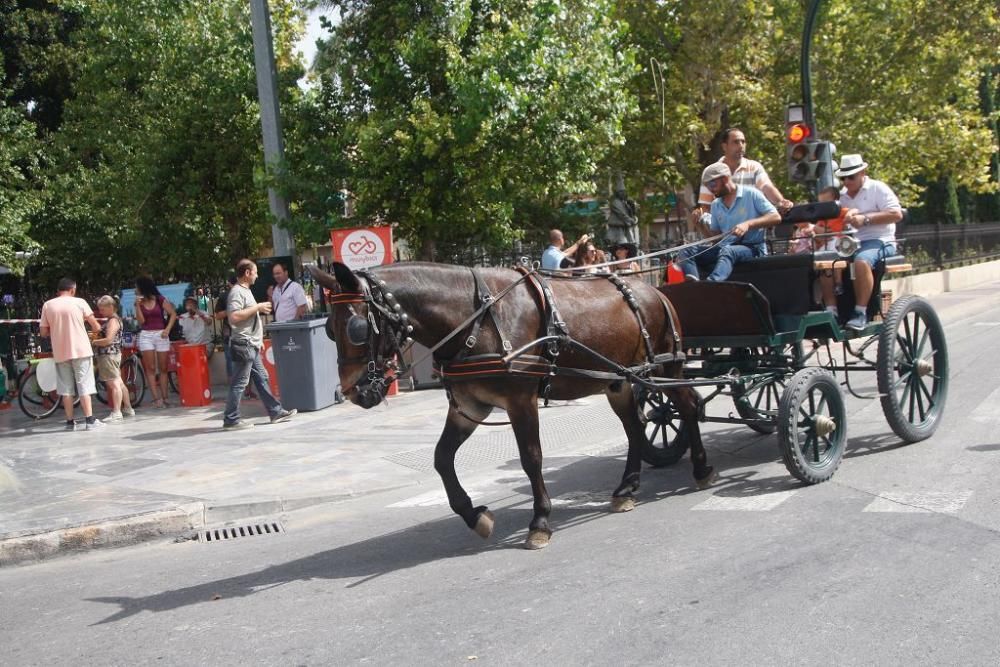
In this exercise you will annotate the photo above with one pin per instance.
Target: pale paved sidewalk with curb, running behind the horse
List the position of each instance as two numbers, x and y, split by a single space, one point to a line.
168 473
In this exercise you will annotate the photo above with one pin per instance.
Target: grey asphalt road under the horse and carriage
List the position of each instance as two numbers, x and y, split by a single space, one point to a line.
892 562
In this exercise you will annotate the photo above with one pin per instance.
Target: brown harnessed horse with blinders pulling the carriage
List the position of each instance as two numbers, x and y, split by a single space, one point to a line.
376 311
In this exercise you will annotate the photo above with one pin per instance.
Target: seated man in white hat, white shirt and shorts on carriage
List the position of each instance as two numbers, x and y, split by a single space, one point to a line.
878 211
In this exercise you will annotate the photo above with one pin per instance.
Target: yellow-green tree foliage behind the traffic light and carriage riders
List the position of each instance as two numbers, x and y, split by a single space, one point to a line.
895 80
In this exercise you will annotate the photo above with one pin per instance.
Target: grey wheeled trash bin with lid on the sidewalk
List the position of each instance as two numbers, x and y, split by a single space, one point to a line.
306 359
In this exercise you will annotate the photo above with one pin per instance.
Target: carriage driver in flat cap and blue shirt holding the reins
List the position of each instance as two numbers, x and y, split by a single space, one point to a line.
741 212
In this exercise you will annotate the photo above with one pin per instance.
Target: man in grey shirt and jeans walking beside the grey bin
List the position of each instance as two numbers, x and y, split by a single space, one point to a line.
245 344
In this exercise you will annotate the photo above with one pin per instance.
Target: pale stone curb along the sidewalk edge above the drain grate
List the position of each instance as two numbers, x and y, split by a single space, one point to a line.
180 523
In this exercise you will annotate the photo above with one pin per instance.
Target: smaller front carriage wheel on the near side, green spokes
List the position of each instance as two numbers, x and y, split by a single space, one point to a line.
812 425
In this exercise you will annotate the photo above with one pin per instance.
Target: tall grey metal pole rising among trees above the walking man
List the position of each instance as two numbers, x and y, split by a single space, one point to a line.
270 118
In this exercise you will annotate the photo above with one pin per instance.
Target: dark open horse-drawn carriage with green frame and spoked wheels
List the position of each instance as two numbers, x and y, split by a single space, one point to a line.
782 359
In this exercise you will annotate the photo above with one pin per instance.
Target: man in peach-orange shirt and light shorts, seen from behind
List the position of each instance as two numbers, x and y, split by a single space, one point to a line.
63 319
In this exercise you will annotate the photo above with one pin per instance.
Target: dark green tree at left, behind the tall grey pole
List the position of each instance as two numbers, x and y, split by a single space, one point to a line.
157 164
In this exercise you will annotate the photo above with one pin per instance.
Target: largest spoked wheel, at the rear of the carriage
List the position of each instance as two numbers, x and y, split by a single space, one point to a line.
912 369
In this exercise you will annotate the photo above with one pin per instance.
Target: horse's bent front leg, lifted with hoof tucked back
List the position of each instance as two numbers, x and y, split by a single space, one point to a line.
457 430
